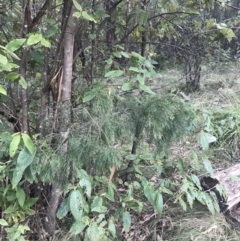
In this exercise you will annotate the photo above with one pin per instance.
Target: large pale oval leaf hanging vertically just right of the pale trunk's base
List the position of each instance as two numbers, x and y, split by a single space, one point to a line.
76 204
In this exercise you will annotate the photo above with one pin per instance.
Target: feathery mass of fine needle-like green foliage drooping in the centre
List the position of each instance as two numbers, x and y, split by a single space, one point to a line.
114 123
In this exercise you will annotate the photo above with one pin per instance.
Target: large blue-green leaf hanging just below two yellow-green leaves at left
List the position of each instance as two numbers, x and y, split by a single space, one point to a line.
25 158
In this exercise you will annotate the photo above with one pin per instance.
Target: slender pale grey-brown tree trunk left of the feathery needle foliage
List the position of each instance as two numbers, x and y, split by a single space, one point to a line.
64 117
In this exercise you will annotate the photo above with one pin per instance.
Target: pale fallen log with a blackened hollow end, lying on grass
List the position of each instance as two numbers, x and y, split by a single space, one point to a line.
229 204
